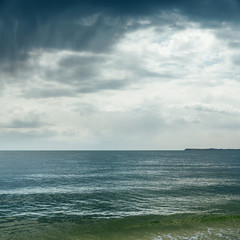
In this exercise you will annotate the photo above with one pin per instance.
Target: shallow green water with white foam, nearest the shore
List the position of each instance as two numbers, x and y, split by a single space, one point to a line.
179 226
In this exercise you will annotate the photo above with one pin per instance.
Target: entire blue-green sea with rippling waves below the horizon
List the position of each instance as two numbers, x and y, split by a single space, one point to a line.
119 195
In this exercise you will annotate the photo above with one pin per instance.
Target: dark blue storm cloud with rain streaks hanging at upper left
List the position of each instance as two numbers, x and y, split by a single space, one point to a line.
27 24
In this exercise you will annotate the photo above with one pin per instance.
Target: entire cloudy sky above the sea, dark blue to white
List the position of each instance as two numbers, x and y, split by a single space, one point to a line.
119 74
